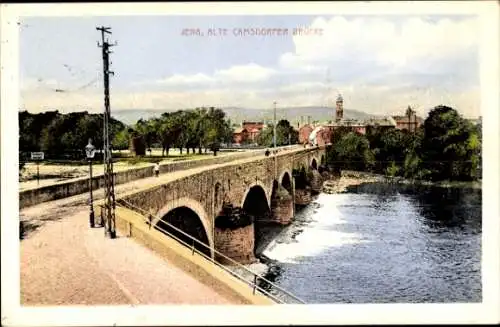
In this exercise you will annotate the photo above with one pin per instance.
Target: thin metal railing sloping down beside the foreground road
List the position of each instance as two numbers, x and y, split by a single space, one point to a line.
256 277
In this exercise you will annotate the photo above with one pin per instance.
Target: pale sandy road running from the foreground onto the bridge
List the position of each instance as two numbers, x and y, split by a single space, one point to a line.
66 262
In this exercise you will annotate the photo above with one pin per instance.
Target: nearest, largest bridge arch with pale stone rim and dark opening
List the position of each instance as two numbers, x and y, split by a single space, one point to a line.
188 215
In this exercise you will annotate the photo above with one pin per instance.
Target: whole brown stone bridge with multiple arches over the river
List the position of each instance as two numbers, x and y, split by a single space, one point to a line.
226 206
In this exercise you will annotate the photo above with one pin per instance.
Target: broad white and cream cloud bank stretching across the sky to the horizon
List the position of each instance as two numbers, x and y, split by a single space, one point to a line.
379 64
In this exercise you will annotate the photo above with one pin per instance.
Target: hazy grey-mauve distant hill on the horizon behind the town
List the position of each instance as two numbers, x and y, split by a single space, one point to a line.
238 114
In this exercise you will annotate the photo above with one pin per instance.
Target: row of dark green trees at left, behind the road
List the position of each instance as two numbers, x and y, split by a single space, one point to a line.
60 135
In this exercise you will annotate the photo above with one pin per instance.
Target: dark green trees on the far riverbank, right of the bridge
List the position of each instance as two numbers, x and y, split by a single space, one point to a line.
445 147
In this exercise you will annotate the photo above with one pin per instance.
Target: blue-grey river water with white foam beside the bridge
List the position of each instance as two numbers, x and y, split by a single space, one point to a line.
381 243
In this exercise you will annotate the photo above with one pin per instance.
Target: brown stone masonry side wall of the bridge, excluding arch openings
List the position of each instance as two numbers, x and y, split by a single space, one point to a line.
206 191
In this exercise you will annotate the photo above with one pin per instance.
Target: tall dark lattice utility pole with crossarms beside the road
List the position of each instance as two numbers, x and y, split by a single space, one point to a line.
109 201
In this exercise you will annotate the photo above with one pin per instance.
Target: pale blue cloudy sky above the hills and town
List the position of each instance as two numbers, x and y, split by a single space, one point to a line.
380 64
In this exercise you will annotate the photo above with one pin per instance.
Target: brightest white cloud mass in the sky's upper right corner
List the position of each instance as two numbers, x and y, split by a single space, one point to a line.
382 41
